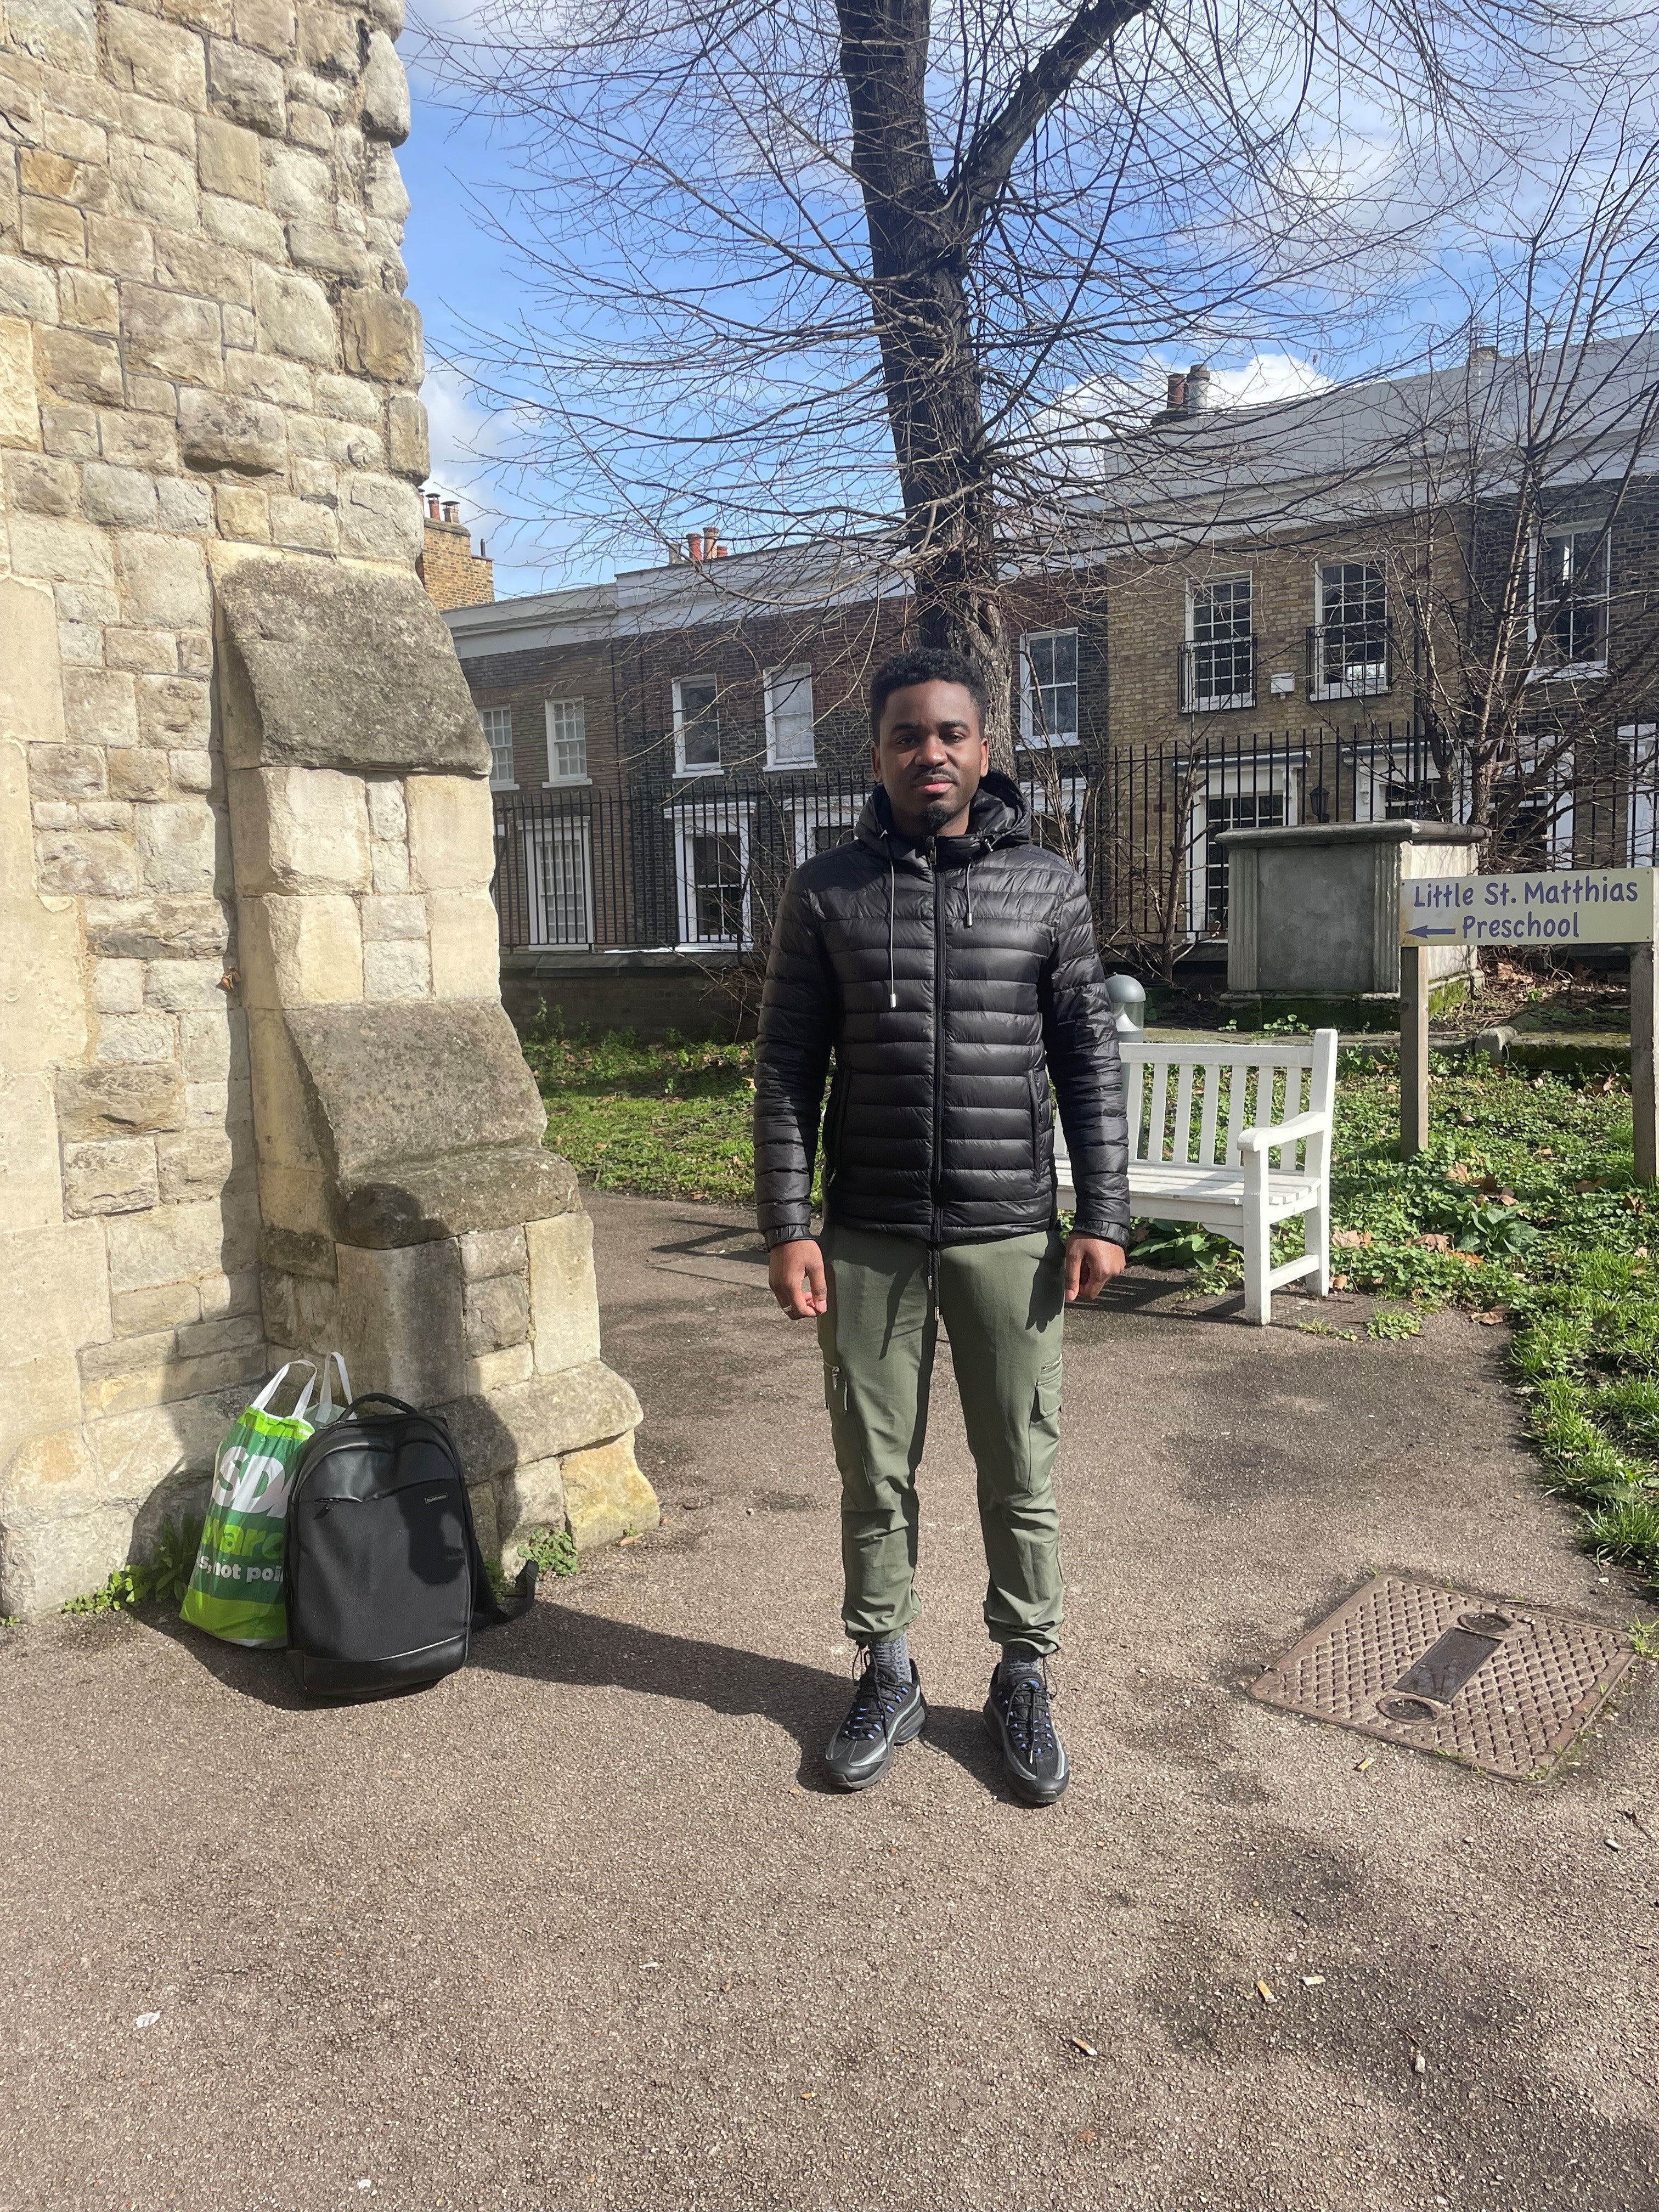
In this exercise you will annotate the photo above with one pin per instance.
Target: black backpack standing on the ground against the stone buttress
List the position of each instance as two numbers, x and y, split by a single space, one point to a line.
384 1574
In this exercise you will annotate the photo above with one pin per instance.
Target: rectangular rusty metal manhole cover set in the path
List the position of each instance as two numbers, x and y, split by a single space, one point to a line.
1499 1687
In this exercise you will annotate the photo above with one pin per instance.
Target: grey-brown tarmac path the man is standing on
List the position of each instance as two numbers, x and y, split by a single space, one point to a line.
581 1930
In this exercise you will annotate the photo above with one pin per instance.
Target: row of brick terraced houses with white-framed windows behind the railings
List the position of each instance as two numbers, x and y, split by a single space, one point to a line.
1255 627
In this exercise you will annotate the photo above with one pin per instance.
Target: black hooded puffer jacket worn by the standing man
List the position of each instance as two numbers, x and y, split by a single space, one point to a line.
941 974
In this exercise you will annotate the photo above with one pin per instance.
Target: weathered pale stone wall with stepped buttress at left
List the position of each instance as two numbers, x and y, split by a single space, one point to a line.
258 1092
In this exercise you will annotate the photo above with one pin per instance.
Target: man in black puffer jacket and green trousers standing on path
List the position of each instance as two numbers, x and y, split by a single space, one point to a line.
950 966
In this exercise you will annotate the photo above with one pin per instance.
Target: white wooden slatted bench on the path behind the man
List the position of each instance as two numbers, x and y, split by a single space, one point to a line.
1202 1127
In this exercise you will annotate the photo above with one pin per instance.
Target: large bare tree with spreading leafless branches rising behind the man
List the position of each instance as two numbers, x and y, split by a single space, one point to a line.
879 273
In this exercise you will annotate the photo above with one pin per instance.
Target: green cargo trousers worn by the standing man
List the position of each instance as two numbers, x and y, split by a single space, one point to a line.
1003 1311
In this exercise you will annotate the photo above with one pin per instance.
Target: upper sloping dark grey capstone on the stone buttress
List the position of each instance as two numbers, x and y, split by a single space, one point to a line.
346 669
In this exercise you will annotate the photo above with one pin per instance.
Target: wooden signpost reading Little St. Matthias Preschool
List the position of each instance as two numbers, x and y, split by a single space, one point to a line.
1552 912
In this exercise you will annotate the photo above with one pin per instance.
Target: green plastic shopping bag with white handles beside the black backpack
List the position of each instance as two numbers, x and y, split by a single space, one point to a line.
238 1583
